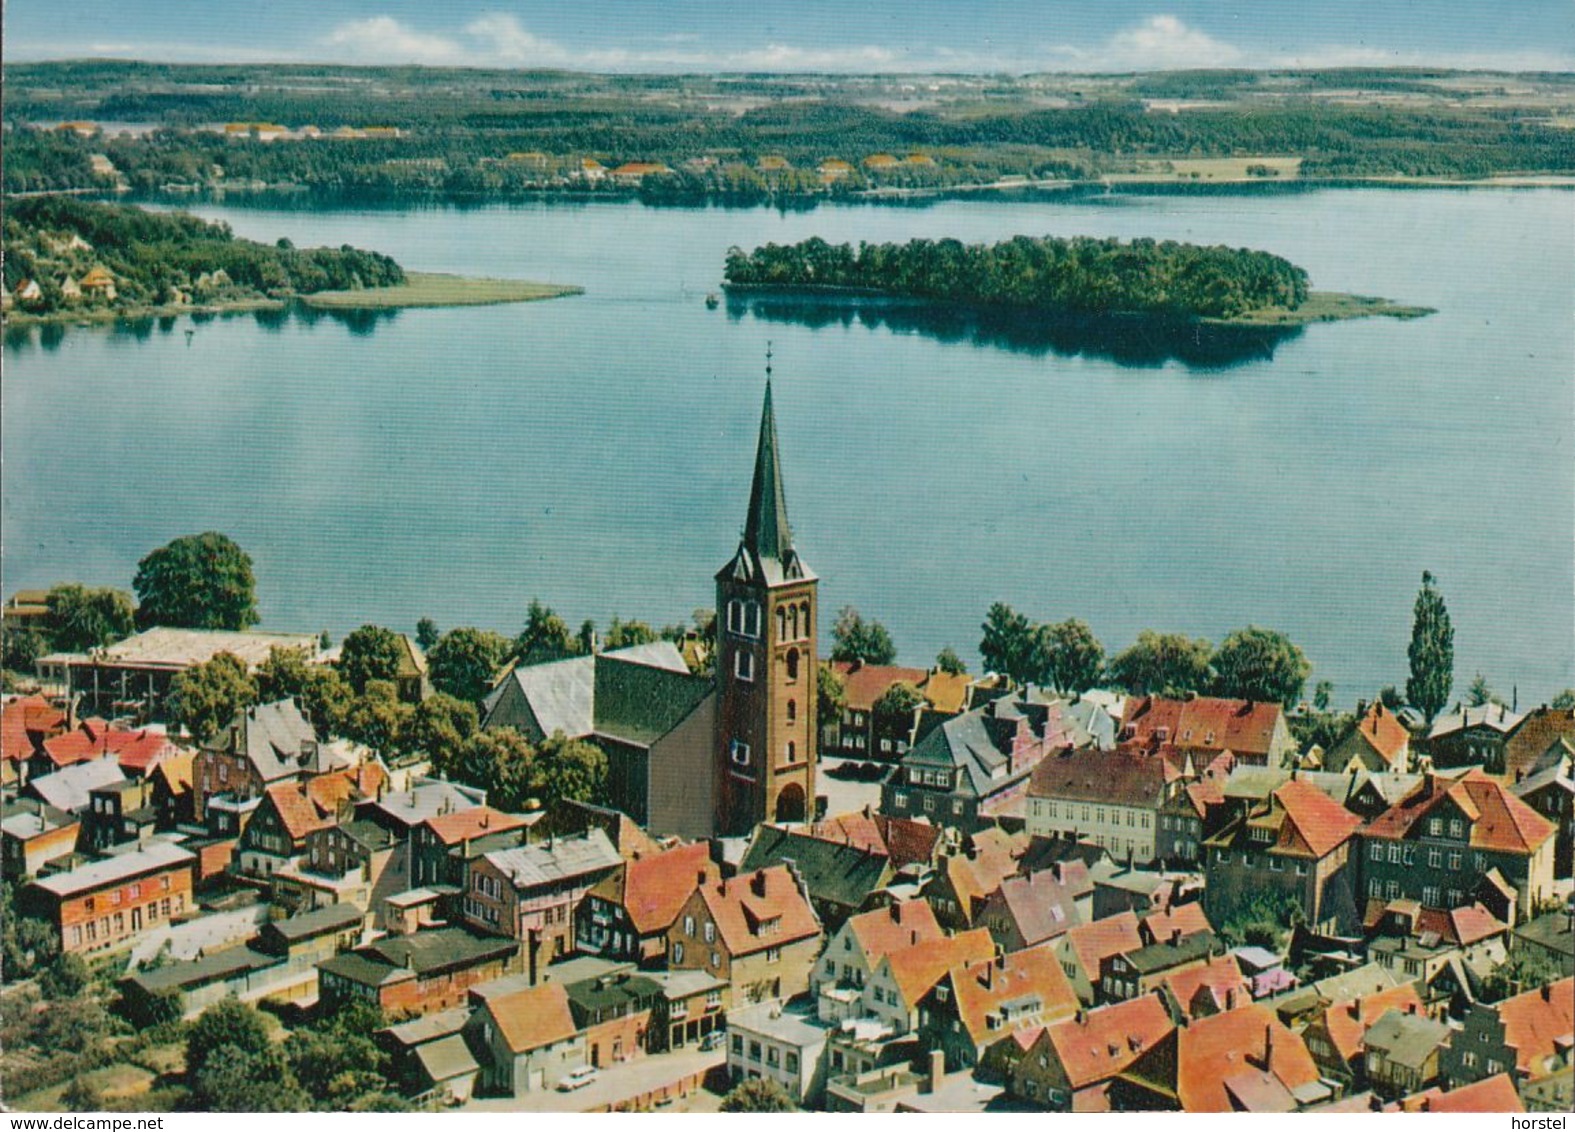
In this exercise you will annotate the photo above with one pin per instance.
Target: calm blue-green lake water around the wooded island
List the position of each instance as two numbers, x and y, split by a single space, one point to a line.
598 451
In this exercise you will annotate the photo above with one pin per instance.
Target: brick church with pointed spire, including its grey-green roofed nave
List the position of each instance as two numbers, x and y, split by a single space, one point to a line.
687 755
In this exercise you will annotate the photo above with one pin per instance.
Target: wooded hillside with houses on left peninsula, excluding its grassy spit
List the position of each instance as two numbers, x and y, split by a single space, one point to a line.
64 254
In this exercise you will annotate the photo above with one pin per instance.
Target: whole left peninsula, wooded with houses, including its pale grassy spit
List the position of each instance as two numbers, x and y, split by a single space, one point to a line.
76 259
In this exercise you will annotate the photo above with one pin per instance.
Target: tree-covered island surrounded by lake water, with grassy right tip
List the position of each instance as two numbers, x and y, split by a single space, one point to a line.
1081 275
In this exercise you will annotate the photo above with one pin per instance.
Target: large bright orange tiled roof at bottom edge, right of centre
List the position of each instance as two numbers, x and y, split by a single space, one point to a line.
1223 1057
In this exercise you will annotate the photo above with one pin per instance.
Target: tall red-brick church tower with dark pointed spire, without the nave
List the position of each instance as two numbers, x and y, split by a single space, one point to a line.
766 662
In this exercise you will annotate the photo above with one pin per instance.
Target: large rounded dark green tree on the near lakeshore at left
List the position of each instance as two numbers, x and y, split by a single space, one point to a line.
198 582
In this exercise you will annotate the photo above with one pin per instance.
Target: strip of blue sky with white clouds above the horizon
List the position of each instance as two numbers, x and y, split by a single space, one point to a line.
809 35
